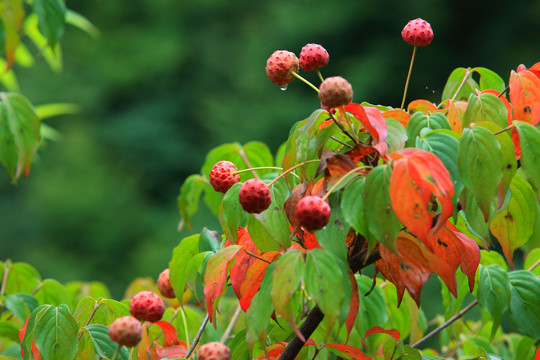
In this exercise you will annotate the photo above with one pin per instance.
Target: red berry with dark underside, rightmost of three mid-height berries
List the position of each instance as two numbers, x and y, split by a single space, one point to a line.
312 212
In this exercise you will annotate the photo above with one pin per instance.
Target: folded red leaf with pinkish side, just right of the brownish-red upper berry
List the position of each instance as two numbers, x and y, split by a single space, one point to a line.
374 123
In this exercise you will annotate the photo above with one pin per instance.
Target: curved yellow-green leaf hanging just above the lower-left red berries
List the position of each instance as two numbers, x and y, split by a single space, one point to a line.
181 256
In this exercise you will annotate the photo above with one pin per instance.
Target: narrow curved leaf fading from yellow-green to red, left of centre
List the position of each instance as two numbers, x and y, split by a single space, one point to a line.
215 277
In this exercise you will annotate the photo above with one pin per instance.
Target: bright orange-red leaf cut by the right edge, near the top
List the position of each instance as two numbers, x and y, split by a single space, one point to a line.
525 95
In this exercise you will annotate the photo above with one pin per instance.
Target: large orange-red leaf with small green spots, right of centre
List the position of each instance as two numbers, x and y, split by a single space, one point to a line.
417 175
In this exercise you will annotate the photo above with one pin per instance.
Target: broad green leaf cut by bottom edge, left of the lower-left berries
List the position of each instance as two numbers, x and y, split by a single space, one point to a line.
56 333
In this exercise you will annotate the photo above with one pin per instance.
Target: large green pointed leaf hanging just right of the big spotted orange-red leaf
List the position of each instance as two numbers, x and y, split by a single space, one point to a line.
480 165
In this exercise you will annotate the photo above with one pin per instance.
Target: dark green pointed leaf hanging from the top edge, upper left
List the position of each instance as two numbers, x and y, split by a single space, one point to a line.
51 15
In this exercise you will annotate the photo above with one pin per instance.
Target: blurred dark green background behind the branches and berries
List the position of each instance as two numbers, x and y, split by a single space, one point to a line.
168 80
